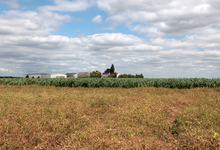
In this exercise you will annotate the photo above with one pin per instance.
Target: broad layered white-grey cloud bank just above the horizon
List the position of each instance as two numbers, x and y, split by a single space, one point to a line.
128 53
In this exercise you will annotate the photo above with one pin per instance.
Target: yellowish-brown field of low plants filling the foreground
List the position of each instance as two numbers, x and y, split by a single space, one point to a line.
48 117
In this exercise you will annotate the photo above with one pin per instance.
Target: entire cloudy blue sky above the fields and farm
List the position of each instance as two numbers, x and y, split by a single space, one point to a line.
156 38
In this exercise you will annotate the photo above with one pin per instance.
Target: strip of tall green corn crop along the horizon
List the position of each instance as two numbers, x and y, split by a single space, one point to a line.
181 83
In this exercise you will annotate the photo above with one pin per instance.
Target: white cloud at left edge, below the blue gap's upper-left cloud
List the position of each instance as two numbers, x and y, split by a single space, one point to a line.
16 22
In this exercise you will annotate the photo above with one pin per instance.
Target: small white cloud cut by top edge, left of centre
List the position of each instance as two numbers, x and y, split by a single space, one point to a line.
66 5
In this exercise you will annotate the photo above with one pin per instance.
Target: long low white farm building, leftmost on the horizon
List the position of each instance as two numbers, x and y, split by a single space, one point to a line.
43 75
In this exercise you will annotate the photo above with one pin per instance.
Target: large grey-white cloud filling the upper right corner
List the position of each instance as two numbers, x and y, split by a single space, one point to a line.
161 18
